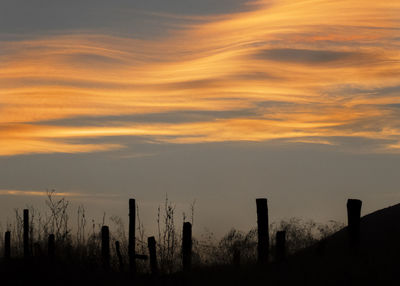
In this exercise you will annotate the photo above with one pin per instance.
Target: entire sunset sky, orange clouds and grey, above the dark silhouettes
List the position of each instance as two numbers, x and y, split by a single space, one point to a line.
214 101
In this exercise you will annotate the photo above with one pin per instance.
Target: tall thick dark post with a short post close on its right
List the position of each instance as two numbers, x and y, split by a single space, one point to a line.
263 231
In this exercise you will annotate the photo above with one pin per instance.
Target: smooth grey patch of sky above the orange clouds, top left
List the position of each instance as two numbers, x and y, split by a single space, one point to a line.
140 18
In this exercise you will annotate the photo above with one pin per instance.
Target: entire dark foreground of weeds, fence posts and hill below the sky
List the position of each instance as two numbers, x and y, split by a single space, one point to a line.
42 250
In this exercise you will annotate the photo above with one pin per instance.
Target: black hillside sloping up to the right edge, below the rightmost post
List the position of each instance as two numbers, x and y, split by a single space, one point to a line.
334 262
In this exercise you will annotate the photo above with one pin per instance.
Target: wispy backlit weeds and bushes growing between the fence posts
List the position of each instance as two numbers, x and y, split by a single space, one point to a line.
83 245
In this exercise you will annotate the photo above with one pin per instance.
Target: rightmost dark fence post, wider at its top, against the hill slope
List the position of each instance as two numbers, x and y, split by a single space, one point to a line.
353 218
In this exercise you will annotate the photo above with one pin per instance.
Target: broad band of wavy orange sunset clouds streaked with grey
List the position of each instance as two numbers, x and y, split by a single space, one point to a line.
304 71
